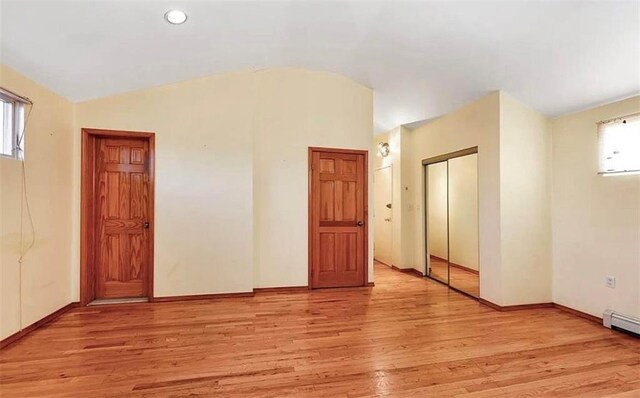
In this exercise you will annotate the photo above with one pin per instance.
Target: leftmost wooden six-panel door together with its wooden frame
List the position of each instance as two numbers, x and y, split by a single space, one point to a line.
117 215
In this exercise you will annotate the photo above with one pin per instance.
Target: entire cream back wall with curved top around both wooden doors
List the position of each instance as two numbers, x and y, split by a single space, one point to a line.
232 171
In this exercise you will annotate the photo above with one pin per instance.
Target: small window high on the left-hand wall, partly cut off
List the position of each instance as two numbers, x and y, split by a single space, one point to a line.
12 122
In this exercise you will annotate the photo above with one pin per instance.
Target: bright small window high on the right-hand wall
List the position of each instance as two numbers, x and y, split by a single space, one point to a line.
619 142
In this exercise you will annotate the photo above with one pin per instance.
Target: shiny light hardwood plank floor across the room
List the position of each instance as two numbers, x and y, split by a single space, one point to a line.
406 337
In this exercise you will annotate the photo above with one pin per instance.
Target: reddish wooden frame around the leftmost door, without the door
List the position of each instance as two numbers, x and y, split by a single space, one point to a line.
87 208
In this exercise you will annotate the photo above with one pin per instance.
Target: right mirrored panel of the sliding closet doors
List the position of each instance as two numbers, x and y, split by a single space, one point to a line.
463 224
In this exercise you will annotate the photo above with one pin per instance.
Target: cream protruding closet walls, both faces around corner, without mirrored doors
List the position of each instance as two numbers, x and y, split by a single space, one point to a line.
513 193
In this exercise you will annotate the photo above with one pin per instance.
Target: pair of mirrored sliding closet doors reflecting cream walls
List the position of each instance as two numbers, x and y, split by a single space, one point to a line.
451 199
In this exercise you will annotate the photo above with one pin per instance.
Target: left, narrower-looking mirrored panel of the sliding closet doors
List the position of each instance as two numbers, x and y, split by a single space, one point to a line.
437 233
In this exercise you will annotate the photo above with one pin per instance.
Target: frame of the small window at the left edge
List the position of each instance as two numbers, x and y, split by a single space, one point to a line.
16 125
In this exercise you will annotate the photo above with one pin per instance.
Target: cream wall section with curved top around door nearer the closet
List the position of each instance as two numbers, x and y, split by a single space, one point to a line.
297 109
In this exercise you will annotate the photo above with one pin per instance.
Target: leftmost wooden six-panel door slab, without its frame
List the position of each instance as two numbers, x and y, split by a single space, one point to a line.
122 218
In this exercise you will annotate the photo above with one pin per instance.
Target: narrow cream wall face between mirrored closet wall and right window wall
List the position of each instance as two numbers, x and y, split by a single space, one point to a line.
525 203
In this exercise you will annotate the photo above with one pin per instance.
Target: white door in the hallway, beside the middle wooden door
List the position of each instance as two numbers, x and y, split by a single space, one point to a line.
382 182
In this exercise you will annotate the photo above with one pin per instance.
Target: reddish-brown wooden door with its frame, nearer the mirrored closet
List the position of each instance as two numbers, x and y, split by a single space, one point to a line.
338 217
